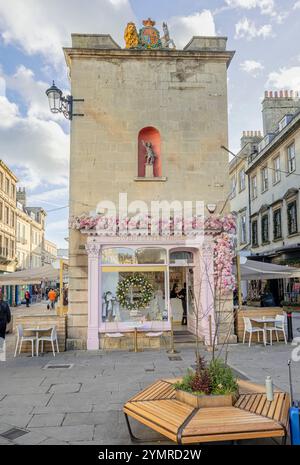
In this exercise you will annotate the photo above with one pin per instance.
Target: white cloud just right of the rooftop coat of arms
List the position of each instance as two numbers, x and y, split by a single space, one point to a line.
183 28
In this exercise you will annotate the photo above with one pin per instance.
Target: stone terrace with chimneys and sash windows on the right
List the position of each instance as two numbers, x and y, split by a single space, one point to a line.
266 202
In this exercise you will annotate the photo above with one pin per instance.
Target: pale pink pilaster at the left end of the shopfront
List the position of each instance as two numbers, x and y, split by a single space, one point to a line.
94 289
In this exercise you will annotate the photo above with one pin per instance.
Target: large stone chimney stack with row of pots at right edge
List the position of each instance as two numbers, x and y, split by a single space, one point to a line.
276 105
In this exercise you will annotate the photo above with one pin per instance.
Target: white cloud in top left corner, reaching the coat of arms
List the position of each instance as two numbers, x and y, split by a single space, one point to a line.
44 27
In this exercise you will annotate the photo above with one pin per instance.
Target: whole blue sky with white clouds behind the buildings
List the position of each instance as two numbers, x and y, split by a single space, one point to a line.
35 143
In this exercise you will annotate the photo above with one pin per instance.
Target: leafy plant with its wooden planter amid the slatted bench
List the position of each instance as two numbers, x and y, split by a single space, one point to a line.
212 385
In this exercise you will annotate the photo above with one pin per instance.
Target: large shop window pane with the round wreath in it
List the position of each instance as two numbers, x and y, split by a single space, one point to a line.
144 299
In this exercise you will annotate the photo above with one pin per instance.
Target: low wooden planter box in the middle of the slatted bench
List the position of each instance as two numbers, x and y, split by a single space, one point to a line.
197 401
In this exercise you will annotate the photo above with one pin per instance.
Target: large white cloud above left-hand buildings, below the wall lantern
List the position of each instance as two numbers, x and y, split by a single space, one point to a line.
39 148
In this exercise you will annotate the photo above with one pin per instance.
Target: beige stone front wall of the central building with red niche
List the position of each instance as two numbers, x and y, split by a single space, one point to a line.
175 98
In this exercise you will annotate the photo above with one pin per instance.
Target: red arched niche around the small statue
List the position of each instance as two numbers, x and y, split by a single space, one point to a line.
149 134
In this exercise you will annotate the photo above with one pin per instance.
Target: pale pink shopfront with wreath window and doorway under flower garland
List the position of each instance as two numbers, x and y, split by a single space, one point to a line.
133 280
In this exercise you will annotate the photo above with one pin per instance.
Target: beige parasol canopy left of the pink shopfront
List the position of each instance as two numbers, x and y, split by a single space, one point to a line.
31 276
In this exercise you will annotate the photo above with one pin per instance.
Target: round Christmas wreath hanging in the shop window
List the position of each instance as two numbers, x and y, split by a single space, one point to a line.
125 292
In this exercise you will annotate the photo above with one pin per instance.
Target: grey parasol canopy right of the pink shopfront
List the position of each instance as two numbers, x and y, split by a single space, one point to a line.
252 270
